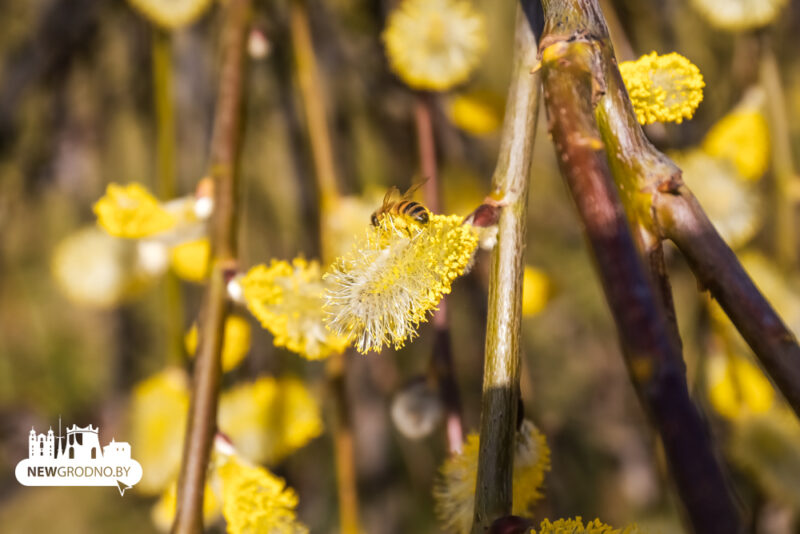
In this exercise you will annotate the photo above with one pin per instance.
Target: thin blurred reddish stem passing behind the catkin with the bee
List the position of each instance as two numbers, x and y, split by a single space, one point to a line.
442 357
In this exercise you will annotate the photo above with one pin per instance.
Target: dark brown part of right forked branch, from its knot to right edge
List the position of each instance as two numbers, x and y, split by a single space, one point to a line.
718 270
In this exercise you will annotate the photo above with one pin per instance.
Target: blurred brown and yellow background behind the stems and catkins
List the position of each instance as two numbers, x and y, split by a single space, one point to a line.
89 322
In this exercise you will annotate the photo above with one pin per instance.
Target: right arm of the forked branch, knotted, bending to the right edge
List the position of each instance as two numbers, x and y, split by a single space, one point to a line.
658 203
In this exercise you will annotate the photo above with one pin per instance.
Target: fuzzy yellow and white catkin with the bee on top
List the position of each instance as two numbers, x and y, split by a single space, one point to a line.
382 289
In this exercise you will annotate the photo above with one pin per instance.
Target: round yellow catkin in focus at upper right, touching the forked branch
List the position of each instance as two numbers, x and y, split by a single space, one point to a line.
665 88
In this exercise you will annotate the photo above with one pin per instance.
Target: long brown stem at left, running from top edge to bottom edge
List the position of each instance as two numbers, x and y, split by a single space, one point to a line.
207 373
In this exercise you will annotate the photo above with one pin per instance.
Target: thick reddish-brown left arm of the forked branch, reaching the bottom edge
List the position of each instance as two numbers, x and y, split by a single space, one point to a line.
574 83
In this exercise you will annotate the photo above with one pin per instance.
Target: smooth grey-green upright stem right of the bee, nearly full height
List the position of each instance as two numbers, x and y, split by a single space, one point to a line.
499 403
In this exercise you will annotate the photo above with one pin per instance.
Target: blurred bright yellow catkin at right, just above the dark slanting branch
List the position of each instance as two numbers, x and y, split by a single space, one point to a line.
741 137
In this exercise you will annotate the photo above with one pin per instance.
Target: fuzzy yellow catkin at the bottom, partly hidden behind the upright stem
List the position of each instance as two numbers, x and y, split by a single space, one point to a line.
454 492
